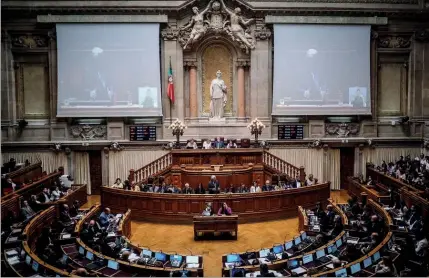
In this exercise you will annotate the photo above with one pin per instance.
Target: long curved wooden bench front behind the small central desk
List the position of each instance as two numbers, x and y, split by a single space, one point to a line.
182 207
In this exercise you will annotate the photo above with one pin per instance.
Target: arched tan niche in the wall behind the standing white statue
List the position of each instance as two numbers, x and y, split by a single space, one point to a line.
214 53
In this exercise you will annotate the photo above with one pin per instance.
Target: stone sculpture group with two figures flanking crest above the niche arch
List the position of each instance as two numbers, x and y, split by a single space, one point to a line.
214 19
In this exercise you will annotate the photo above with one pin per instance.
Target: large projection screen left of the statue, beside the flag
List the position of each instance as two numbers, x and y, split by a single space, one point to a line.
108 70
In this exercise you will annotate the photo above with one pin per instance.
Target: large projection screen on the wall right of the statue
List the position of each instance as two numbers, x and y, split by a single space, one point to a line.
321 70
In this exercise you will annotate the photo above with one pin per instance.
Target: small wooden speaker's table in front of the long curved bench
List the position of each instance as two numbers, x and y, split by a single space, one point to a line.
225 226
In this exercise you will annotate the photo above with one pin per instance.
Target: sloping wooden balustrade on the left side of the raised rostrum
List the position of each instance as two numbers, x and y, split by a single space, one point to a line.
151 169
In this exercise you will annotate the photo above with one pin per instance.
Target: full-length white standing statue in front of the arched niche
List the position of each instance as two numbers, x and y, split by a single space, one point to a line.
218 96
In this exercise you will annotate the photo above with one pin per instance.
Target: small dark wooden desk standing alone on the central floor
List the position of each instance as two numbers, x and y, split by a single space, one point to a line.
213 224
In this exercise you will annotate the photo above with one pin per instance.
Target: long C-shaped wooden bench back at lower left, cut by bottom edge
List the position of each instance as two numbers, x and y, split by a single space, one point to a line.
50 213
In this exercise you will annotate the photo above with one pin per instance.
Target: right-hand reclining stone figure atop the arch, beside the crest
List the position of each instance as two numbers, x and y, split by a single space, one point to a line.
236 30
